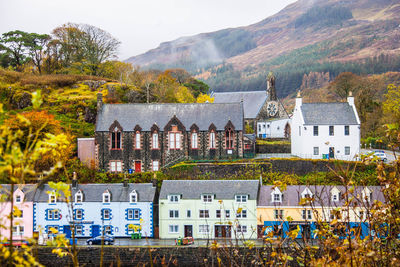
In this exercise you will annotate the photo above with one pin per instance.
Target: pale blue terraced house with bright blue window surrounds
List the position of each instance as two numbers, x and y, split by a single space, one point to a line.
115 209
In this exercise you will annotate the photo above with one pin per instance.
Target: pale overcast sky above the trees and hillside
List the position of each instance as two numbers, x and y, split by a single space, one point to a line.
139 24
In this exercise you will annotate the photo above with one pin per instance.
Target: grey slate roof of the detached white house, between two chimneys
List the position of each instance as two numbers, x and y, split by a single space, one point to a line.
328 114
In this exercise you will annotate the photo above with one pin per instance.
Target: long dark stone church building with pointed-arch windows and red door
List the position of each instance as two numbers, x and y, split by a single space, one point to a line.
146 137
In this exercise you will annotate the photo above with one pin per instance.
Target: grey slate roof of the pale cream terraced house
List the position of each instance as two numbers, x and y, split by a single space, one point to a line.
223 189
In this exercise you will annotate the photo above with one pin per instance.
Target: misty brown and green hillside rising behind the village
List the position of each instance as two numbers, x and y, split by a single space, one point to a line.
307 36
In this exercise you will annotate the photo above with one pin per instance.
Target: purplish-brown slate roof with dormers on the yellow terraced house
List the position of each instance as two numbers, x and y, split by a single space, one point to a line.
321 193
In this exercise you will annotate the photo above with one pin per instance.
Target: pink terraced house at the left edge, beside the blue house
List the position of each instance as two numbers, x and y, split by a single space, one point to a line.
22 222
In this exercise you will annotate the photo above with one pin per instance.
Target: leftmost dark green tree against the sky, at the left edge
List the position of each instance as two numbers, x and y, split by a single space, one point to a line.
14 42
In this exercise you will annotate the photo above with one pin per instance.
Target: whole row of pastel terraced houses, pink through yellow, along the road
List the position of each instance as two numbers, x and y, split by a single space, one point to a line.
203 209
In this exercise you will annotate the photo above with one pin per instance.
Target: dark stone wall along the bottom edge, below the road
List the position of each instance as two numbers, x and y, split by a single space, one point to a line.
167 256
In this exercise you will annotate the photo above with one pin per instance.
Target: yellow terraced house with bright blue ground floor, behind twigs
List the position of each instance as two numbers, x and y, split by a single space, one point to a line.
281 211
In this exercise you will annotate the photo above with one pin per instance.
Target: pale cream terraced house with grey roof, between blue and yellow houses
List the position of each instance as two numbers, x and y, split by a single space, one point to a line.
208 209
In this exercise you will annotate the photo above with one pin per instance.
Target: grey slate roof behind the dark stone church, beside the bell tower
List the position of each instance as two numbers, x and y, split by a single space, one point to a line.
252 101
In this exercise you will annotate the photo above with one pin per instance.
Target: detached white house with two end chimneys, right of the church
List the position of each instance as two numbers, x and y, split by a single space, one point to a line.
325 130
